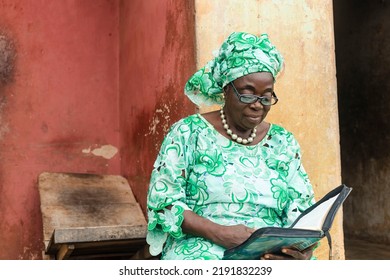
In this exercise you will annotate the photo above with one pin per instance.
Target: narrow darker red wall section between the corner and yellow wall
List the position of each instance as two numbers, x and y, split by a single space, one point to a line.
156 59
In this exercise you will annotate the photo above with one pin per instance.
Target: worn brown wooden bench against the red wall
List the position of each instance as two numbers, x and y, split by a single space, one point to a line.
87 216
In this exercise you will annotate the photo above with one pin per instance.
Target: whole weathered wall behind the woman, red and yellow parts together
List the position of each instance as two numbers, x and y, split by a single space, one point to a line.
67 108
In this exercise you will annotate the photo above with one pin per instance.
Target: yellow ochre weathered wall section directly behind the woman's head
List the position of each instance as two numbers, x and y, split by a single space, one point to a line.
303 32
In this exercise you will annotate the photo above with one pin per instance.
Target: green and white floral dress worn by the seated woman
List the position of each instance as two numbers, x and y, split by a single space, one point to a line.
228 183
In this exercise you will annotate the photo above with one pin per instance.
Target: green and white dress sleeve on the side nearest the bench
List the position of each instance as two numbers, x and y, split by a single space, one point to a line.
166 195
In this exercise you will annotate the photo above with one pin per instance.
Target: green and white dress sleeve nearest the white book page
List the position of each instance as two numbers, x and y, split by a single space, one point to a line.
299 188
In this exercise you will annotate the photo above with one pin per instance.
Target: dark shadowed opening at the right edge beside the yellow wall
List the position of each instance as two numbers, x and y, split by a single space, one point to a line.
362 31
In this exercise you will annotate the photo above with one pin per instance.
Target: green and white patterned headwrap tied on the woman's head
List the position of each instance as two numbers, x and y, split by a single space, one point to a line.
240 54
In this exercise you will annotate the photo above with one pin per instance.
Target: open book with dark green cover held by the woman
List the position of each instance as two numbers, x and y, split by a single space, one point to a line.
311 226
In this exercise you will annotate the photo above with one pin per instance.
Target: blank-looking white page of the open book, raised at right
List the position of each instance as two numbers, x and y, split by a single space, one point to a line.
314 219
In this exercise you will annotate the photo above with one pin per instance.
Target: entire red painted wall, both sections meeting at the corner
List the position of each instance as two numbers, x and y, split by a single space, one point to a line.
71 92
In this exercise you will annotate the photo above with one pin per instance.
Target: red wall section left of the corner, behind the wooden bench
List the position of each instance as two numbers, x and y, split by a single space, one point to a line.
57 110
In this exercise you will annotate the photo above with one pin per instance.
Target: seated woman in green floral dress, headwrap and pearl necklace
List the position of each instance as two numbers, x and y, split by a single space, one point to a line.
223 174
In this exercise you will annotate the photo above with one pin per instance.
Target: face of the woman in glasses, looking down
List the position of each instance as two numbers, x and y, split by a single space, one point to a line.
243 116
